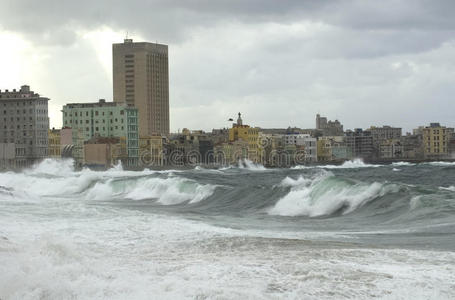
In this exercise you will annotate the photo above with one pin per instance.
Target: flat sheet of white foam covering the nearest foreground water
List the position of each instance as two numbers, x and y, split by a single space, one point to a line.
137 256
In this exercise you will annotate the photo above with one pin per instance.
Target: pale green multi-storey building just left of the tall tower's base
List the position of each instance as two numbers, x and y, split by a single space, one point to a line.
102 119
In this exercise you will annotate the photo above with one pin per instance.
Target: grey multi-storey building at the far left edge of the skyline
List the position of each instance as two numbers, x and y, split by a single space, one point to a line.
24 122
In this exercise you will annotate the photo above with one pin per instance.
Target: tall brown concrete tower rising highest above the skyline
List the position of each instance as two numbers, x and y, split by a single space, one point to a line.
141 79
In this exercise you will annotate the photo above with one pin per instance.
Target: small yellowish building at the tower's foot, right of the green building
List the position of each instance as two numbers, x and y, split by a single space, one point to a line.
151 151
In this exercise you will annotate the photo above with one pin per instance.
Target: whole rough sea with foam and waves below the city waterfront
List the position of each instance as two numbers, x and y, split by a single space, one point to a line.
226 234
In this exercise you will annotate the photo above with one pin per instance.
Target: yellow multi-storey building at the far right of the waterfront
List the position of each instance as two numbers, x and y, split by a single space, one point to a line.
436 140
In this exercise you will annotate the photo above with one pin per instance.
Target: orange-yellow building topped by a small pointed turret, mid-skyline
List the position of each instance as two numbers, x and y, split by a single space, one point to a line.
240 132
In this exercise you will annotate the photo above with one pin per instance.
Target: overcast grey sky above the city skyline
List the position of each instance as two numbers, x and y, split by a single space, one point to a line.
278 62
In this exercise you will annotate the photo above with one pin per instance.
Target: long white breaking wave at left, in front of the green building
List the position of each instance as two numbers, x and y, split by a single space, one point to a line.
54 178
